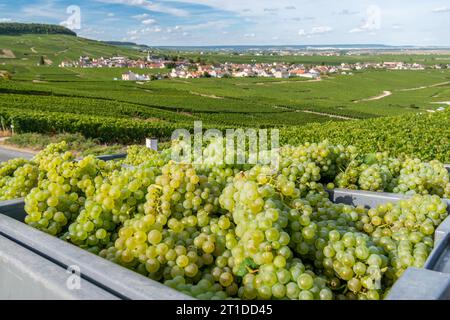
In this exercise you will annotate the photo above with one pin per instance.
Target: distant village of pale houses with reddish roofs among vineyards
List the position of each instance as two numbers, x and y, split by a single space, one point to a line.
187 69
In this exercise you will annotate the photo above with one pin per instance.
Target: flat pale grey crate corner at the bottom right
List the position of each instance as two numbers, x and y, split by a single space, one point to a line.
421 284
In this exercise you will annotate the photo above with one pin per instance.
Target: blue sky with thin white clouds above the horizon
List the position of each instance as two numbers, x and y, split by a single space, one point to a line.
234 22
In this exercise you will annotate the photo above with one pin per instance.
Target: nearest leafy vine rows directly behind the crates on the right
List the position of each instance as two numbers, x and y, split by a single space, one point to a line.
424 135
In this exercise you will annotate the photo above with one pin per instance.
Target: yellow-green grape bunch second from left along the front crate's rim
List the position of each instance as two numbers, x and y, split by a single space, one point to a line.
110 200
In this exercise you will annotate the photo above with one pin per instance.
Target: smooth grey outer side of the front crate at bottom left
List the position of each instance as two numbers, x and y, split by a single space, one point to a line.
27 275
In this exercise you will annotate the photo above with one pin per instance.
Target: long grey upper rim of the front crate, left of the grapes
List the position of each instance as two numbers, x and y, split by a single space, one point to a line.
121 282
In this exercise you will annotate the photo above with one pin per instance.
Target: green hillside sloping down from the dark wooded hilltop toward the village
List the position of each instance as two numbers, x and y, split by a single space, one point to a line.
26 50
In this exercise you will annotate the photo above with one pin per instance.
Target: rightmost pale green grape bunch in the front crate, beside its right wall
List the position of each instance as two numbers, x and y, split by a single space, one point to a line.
405 230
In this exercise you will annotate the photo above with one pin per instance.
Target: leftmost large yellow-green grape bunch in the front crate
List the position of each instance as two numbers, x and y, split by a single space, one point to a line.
62 189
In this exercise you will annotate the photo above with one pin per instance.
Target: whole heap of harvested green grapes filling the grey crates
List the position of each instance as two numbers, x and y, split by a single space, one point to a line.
222 231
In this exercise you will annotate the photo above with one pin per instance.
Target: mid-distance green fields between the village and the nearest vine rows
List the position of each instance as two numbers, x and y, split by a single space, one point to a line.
234 102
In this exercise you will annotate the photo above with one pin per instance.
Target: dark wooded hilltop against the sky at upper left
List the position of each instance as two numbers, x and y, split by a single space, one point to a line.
15 28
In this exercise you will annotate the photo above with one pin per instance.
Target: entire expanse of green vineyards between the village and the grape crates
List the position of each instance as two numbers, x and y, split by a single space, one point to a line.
53 100
